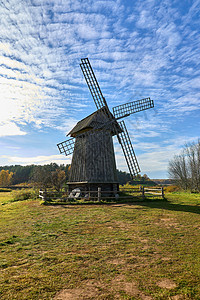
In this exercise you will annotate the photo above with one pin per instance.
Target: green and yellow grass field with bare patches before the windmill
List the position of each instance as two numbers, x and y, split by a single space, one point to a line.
144 250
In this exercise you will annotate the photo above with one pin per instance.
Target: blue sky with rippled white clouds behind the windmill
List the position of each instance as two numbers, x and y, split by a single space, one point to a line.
138 49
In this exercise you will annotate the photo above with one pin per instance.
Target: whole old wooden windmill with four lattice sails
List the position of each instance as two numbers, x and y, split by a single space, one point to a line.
93 162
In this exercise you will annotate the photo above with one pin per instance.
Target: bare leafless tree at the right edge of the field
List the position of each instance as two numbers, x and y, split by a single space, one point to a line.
185 168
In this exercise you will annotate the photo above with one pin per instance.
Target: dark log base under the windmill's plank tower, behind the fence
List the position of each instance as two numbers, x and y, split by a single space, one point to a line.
108 189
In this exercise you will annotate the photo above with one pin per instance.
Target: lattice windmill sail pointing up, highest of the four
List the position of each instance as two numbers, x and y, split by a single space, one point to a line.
92 83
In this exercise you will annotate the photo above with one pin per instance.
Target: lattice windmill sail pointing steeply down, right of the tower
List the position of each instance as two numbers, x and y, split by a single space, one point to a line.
128 151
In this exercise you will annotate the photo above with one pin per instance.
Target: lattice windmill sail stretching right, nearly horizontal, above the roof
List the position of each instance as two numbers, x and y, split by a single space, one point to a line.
126 109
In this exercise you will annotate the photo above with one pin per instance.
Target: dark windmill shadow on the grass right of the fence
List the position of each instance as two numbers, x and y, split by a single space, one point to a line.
167 205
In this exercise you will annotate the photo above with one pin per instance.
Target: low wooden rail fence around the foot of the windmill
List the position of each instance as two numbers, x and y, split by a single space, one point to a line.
127 193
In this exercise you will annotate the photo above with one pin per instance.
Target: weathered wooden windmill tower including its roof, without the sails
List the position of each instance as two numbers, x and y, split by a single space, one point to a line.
93 160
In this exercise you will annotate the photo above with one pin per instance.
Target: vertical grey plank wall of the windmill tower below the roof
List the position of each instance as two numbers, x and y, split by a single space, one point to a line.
93 158
